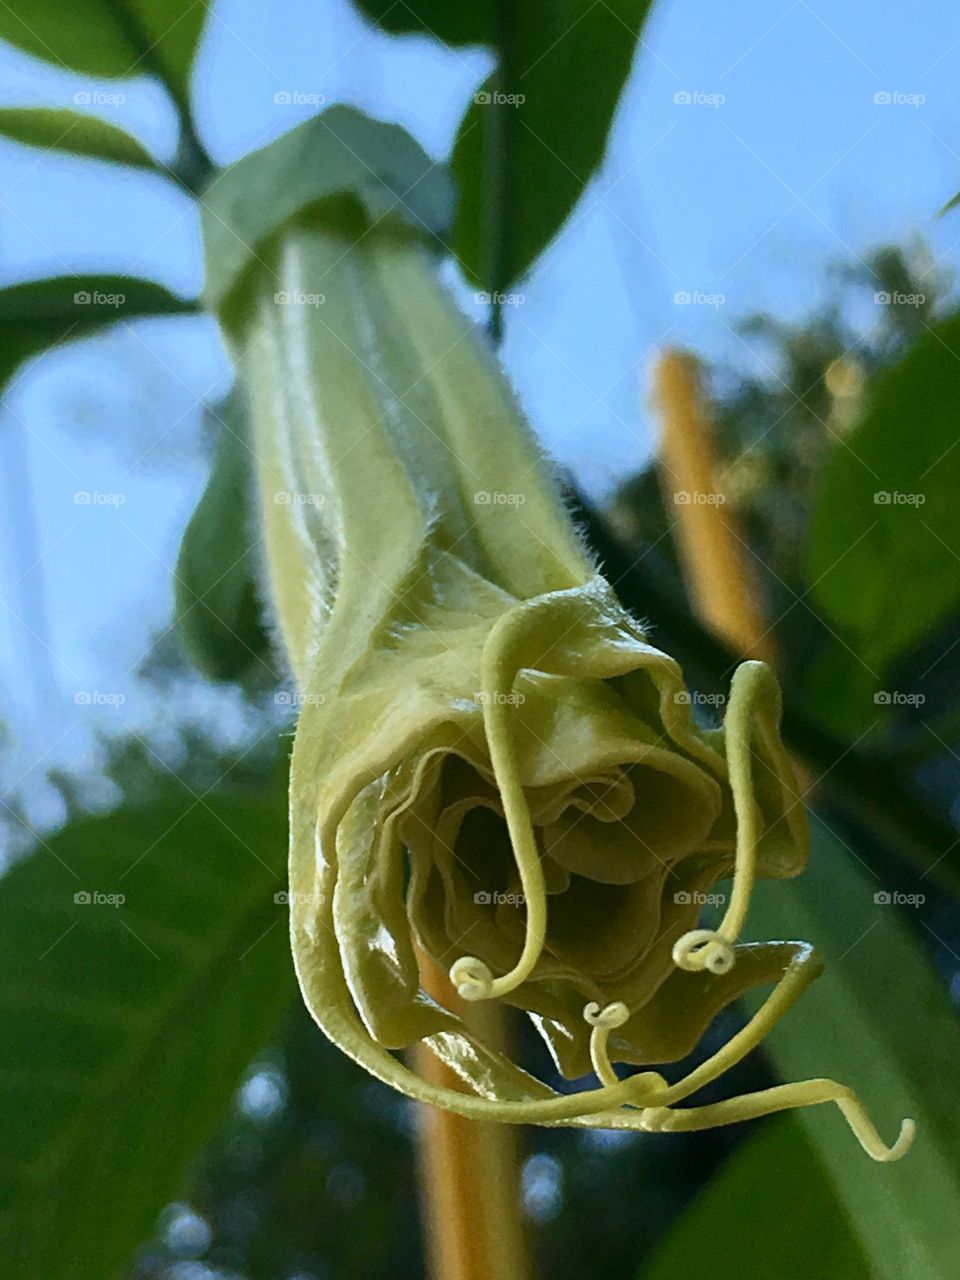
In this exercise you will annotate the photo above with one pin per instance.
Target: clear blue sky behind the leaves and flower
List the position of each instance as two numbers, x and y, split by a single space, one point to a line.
781 163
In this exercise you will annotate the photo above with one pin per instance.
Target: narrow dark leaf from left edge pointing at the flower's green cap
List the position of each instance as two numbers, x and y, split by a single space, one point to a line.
43 314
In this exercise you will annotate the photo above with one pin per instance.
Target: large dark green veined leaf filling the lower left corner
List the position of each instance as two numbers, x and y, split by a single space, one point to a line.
129 1027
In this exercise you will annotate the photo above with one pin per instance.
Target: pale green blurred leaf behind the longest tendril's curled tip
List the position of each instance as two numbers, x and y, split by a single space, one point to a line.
881 1022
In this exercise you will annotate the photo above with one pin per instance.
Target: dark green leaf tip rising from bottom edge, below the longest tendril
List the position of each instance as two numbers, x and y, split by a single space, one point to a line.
769 1213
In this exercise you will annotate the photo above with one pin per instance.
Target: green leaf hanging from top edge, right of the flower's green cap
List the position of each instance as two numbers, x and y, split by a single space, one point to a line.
569 61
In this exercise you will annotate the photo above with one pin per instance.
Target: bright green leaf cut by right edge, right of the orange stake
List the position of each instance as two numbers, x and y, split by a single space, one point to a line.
884 554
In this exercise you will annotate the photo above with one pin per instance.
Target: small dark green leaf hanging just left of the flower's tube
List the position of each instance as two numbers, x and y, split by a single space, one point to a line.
218 611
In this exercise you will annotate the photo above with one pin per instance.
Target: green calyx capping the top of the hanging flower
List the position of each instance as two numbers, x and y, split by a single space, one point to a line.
339 153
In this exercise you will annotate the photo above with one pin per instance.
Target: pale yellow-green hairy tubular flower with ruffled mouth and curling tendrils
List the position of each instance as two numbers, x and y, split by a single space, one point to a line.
493 767
